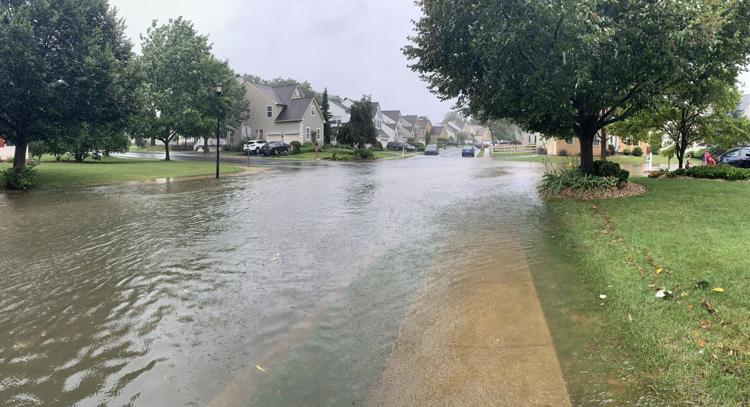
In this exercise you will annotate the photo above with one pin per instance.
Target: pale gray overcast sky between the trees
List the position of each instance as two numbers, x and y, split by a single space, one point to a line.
352 47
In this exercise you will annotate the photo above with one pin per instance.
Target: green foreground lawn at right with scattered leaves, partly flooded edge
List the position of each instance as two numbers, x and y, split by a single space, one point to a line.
632 344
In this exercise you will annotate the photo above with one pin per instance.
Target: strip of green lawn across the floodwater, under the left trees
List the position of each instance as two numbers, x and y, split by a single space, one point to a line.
52 174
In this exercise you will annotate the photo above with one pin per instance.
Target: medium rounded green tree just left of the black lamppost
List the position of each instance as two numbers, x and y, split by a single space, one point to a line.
177 68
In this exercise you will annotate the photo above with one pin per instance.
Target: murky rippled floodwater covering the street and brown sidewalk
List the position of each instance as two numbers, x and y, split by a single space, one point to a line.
337 284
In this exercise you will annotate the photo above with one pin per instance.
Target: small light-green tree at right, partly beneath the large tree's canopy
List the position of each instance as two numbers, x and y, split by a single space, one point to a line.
688 113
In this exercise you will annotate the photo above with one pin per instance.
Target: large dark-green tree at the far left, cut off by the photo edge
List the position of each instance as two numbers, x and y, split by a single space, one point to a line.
62 63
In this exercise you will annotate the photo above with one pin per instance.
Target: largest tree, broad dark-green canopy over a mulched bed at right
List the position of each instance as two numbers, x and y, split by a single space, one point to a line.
570 68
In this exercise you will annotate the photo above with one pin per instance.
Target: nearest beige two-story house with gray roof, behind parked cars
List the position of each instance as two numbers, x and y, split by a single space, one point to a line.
283 113
